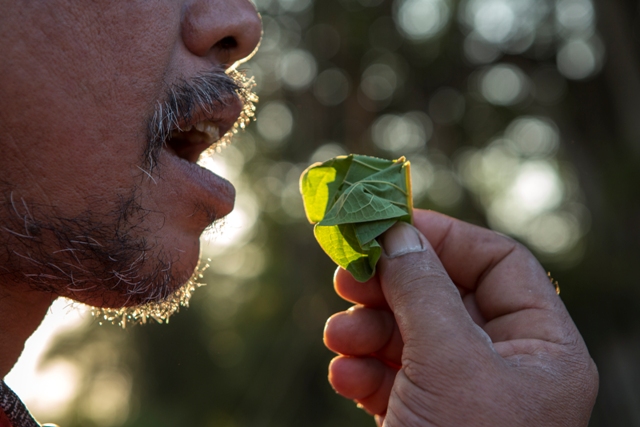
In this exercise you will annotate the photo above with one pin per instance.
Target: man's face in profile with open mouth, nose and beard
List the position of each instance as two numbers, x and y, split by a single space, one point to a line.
91 204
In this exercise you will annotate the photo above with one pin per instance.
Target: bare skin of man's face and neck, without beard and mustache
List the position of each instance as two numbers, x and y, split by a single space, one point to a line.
79 81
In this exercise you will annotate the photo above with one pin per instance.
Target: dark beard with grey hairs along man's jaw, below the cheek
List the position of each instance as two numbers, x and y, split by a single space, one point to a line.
85 255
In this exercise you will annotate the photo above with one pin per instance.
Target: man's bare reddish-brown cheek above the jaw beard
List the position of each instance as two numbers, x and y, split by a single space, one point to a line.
85 97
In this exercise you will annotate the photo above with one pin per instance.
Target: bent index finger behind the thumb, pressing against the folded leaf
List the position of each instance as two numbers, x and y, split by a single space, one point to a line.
505 277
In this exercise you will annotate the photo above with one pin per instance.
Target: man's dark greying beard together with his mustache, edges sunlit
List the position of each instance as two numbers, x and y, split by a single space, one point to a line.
105 257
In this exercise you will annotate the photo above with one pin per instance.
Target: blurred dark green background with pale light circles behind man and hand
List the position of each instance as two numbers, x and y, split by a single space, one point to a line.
519 115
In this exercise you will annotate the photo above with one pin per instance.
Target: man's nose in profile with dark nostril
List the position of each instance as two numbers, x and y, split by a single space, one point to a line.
225 30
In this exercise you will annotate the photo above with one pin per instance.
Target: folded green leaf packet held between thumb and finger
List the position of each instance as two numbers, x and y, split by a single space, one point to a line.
352 200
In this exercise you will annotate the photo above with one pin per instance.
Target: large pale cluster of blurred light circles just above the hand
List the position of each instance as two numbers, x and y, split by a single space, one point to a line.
523 188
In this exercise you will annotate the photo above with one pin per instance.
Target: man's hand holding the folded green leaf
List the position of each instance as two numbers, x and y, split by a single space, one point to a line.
459 328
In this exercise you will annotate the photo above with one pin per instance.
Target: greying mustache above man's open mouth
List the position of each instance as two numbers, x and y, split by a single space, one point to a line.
197 98
